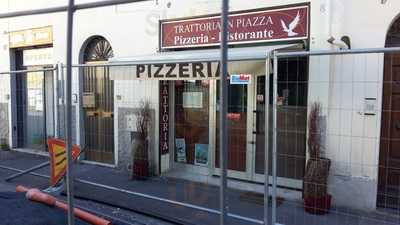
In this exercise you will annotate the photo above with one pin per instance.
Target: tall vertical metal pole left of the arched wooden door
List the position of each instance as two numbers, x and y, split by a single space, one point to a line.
68 119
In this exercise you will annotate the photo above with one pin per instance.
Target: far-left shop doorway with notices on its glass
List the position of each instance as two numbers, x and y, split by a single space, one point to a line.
35 99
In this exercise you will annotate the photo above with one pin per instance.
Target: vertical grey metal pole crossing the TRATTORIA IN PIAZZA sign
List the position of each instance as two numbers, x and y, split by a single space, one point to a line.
223 112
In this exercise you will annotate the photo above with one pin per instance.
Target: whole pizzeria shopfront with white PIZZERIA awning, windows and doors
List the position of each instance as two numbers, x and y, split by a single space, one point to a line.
193 107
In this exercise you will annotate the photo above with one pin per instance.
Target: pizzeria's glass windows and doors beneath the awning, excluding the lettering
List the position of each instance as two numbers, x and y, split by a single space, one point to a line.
196 119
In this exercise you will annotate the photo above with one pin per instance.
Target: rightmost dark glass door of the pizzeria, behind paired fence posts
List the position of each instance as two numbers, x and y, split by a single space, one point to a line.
291 123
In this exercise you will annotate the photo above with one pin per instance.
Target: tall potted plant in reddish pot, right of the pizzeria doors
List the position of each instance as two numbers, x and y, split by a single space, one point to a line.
316 197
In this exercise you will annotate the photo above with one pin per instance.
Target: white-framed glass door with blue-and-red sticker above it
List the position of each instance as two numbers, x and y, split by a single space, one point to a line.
240 119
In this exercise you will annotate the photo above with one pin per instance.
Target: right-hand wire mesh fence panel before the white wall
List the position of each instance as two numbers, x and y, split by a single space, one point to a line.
351 136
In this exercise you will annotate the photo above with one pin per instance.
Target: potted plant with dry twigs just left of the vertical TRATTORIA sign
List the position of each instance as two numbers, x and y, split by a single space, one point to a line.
140 168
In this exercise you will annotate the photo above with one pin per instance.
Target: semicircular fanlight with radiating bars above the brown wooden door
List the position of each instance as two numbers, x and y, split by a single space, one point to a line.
98 49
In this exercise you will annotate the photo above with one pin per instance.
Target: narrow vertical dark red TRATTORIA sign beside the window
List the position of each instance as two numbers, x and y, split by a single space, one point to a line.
164 117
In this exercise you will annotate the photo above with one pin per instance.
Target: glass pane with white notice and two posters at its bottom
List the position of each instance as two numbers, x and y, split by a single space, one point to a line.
191 122
